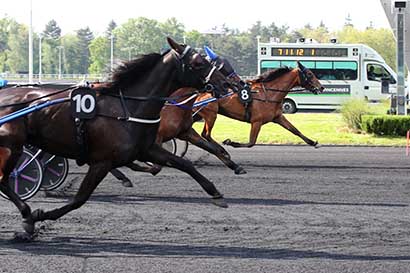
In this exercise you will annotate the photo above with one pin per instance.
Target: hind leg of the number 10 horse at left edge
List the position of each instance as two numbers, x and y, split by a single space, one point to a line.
8 160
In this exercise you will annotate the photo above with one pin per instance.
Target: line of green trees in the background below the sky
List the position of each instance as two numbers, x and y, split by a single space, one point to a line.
87 53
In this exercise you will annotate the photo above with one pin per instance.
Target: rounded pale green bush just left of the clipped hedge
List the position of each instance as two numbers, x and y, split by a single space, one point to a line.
352 111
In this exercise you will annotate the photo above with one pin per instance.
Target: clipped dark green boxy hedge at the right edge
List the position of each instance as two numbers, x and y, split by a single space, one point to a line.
386 125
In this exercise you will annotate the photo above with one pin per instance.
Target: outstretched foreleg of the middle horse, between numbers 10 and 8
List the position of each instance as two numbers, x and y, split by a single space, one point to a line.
193 137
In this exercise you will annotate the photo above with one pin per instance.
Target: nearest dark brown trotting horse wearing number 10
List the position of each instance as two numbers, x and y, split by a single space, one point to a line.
123 130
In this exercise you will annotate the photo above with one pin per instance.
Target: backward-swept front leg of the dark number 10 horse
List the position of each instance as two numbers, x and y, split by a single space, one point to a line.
94 176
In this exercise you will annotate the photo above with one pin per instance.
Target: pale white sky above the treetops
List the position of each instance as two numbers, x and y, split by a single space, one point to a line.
199 15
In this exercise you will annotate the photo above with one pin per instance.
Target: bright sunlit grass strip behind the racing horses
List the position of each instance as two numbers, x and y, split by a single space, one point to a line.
327 128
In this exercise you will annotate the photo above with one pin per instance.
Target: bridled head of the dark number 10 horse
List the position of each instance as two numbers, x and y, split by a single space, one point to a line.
196 71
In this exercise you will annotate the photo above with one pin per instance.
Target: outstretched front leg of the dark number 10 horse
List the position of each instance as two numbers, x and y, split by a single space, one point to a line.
162 157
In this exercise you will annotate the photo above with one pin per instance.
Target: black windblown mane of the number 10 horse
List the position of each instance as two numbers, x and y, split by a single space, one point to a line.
131 71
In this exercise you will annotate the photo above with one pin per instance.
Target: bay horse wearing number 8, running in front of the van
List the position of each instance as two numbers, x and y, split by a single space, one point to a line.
267 93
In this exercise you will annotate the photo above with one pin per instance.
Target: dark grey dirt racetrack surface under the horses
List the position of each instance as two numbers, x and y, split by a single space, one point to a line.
299 209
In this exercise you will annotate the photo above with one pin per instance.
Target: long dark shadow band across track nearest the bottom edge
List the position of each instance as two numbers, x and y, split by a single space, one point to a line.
80 247
